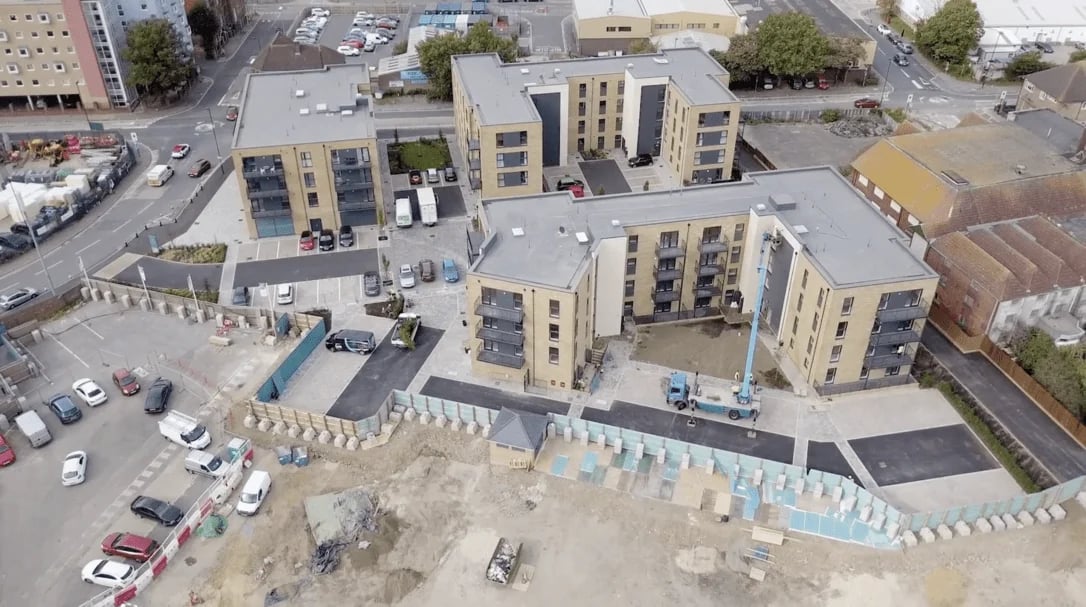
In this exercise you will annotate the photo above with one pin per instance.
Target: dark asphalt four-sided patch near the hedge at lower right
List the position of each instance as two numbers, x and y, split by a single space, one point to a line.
920 456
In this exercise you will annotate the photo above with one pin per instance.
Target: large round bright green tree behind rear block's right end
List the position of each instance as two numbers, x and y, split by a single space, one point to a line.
791 45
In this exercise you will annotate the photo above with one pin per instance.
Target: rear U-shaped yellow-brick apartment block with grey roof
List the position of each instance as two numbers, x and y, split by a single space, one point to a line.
513 120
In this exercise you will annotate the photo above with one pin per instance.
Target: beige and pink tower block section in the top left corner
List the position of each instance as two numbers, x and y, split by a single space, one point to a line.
48 59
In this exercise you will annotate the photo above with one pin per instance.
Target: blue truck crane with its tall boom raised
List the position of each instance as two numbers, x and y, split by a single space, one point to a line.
743 402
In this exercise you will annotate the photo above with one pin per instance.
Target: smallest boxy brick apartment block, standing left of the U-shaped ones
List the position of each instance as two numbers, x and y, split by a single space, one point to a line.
306 151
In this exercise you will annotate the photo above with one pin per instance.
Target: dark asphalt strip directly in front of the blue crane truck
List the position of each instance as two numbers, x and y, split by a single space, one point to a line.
716 435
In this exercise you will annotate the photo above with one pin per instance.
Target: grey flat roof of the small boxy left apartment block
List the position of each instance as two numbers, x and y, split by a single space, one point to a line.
272 112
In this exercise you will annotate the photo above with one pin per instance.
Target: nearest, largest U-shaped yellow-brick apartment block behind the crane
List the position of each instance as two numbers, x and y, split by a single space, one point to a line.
845 296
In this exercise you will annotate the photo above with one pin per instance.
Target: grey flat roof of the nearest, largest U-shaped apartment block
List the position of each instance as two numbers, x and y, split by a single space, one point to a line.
845 237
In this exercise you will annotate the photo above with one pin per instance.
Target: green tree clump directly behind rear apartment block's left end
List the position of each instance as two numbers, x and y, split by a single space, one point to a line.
435 56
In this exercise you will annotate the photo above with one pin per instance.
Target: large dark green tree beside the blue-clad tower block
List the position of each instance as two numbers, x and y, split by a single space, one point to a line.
156 66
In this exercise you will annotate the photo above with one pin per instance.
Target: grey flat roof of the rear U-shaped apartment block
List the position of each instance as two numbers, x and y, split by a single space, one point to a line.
500 95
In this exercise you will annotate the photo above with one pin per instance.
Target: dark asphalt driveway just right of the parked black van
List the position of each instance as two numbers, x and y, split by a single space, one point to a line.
388 369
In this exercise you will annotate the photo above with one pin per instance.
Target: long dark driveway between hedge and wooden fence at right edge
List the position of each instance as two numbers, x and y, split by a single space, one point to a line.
1054 449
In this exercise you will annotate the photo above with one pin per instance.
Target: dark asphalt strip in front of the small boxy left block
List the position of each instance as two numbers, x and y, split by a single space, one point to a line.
307 268
